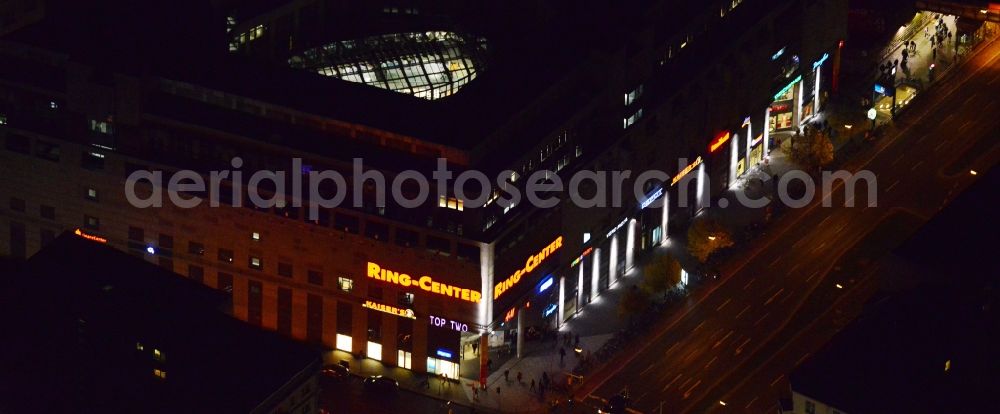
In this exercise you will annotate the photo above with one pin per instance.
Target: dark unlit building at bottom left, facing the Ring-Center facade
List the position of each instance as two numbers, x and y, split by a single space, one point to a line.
77 314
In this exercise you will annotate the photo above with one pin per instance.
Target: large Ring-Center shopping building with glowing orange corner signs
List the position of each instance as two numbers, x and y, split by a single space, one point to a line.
645 85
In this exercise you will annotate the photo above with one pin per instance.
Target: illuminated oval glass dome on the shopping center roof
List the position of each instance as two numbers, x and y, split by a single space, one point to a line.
429 65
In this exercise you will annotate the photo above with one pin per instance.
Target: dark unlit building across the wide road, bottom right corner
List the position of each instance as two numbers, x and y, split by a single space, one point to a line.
893 358
